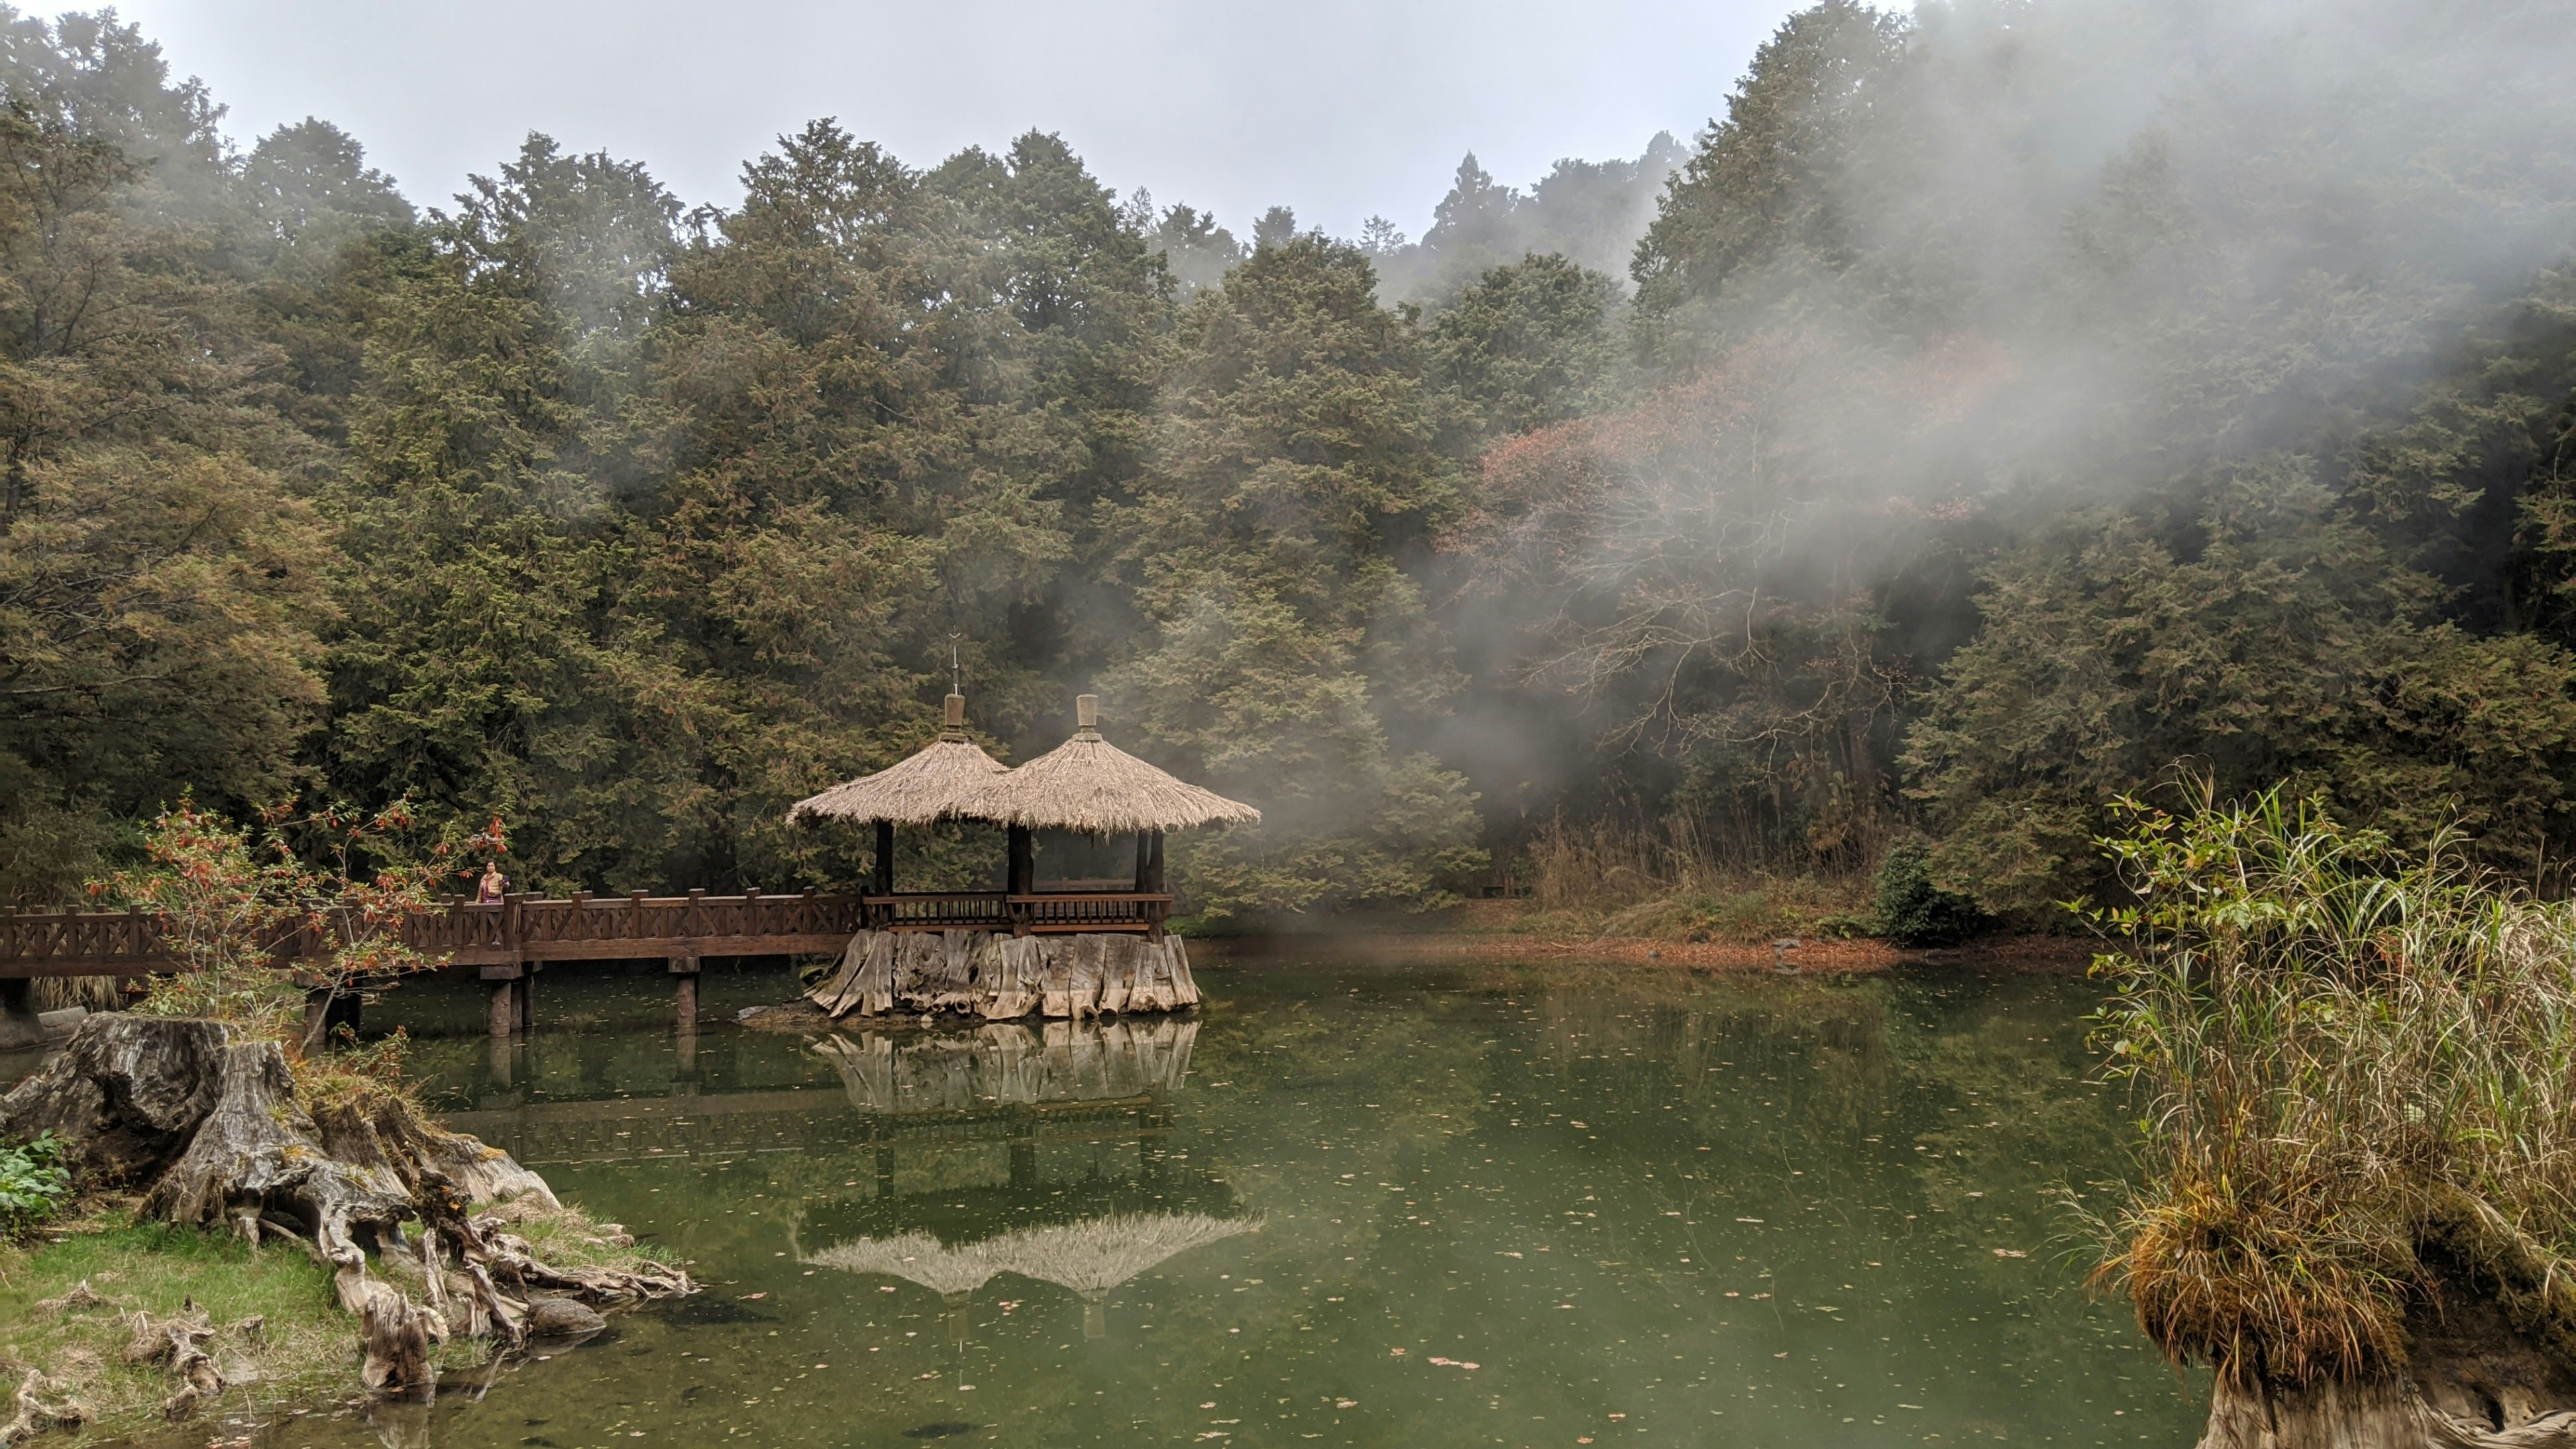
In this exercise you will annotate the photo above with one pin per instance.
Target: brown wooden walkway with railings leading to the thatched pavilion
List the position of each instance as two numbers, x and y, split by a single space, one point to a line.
511 940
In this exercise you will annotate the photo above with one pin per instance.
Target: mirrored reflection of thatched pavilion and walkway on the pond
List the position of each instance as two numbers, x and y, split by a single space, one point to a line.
1032 1151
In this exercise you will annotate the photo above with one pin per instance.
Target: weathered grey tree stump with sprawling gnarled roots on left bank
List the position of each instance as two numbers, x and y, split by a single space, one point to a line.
213 1128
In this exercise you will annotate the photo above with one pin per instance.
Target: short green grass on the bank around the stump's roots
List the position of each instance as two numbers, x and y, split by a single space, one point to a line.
282 1337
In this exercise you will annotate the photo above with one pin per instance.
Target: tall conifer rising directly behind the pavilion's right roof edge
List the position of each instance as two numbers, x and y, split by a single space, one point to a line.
1292 659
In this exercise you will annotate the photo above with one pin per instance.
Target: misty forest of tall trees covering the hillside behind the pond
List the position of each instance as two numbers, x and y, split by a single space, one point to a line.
2000 409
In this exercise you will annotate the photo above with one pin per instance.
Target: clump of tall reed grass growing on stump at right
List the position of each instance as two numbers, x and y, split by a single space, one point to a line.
2358 1071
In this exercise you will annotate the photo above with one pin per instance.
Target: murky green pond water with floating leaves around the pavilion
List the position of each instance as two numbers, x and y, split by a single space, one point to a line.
1338 1205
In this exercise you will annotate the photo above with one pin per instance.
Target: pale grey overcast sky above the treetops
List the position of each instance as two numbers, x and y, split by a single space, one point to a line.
1336 107
